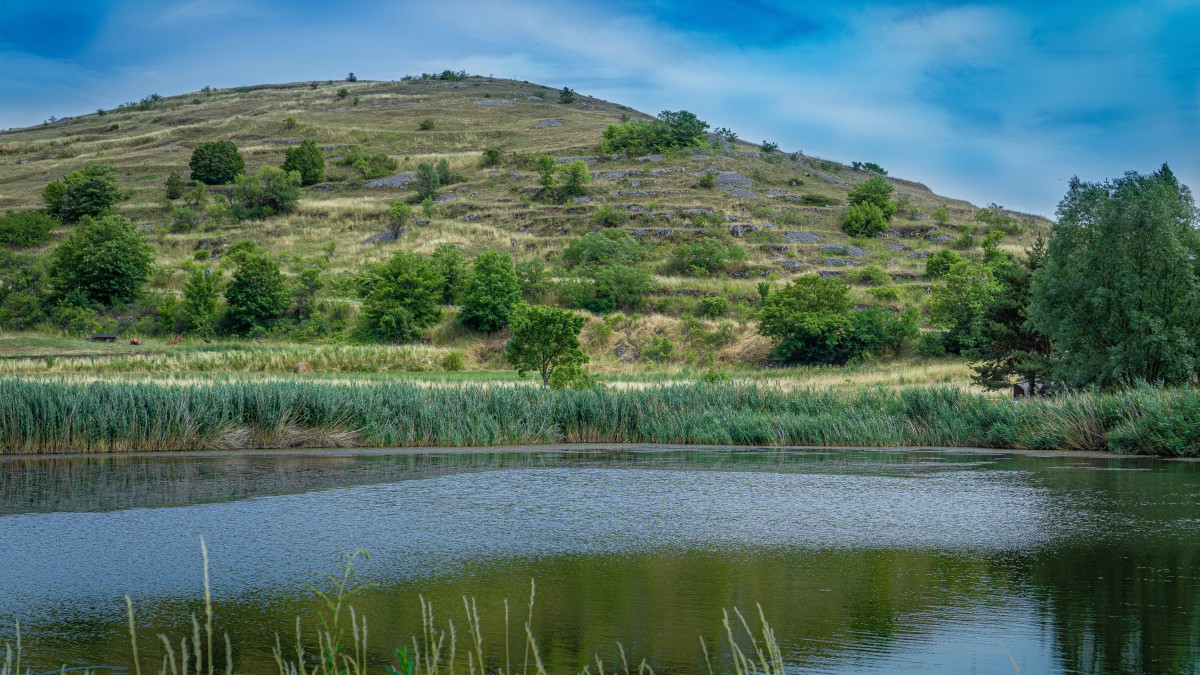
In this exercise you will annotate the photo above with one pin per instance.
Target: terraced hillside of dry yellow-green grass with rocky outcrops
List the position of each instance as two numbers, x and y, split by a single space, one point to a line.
769 204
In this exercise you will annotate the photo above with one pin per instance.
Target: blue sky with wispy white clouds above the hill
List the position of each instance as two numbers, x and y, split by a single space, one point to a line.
993 103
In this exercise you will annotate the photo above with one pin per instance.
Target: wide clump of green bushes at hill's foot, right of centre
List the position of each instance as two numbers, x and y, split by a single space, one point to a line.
813 321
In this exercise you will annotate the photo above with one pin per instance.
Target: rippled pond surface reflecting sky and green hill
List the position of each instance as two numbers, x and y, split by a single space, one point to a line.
863 561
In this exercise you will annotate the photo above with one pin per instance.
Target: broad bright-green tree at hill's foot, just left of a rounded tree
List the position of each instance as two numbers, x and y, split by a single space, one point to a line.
401 298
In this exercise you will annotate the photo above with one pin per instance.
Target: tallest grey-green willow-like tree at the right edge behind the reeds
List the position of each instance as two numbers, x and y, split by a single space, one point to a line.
1119 294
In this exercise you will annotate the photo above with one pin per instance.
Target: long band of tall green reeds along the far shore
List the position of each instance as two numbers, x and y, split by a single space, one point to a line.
65 416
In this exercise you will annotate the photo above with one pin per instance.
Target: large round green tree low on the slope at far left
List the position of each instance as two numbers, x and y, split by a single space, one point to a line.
107 261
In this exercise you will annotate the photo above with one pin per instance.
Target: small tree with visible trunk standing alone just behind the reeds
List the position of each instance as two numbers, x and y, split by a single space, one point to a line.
545 341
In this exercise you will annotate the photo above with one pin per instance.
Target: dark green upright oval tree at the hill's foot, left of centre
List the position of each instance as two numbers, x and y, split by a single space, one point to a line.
257 297
